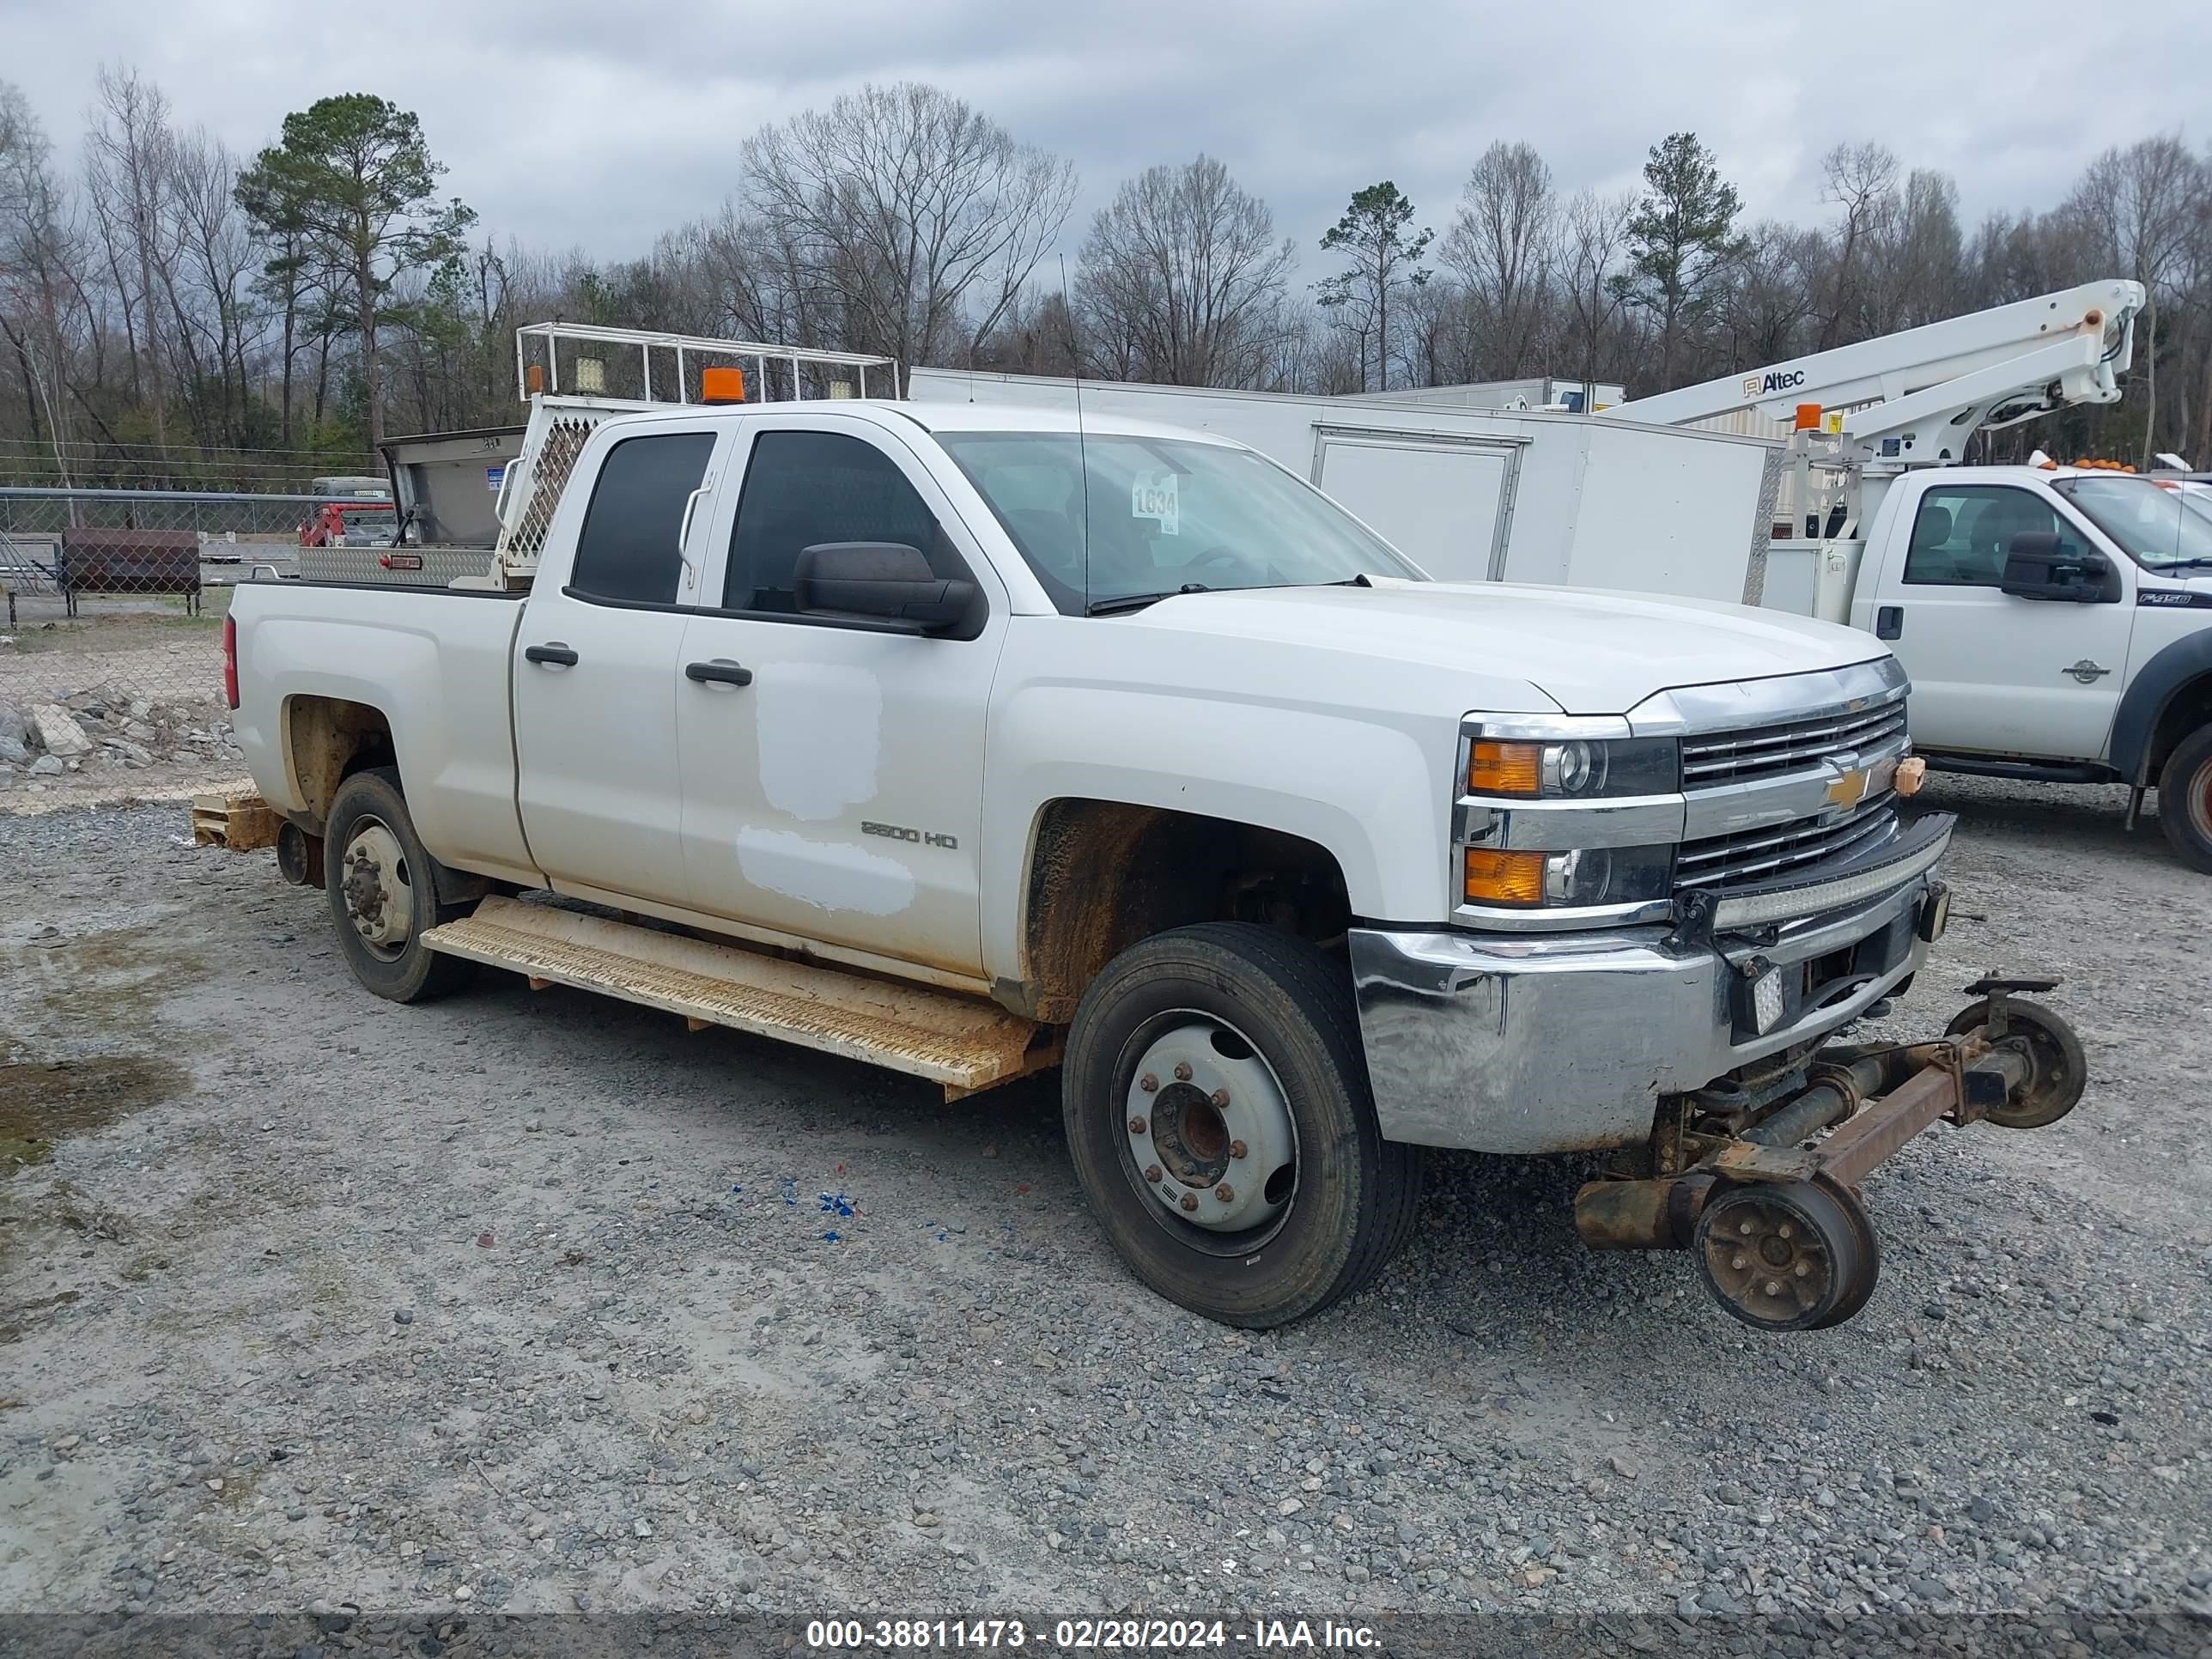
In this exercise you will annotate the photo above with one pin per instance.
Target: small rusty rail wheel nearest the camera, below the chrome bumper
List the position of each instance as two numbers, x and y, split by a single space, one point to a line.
1788 1255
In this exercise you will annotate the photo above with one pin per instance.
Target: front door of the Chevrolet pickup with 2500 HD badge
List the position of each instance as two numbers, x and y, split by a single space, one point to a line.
833 773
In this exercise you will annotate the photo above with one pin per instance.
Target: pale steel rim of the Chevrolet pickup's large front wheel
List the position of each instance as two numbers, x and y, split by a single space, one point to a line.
1209 1138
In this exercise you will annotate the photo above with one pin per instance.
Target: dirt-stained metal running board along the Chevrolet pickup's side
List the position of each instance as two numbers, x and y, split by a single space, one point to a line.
959 1043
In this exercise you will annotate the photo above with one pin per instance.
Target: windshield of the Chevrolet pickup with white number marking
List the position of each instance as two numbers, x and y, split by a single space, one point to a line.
1165 517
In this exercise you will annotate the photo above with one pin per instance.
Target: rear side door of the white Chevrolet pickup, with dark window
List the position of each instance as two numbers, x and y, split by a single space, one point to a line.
598 671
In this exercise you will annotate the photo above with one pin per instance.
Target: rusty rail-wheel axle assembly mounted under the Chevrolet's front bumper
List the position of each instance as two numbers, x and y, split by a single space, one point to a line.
1764 1189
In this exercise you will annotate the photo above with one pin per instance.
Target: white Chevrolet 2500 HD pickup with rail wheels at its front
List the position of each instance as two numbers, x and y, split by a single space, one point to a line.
974 742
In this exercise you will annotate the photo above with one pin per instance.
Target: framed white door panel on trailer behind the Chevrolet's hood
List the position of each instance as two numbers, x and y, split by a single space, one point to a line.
1446 503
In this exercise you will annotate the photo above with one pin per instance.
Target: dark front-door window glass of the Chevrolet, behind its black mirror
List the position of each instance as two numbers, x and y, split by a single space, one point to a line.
808 488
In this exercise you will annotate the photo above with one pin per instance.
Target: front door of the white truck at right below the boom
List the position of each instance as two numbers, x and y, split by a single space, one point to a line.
1994 674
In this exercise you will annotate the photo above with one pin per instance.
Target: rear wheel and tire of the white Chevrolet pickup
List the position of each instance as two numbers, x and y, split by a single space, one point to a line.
384 893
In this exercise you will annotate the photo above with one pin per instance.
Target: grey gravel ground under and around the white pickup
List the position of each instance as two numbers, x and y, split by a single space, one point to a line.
536 1304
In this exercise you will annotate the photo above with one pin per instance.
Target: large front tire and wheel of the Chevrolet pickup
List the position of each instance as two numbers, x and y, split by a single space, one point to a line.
1218 1112
